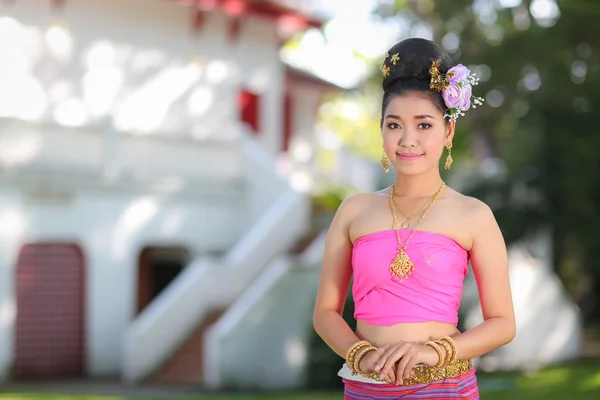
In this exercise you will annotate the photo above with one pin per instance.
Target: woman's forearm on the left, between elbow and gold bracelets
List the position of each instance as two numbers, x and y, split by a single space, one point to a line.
334 331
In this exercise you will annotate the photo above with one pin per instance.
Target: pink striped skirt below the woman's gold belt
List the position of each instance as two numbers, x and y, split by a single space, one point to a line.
461 387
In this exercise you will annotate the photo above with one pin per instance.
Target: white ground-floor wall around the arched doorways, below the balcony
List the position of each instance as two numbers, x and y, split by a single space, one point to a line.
111 229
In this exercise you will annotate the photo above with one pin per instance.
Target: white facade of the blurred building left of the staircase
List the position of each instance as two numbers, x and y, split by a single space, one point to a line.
103 68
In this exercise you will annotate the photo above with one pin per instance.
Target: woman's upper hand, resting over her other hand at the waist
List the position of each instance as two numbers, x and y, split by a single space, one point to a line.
403 357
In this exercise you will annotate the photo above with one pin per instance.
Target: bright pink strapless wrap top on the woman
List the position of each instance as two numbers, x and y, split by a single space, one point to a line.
432 292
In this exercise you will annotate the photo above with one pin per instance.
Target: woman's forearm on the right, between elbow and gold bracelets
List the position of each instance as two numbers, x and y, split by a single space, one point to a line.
491 334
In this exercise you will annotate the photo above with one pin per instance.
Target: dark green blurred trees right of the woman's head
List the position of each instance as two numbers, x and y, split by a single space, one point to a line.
538 119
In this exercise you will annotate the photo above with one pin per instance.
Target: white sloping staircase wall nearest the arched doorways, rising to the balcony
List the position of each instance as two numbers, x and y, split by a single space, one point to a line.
207 283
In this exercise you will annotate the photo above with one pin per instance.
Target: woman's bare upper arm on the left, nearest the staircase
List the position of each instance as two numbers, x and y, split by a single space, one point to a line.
336 270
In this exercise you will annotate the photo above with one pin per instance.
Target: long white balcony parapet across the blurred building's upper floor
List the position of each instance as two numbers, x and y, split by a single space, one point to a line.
34 154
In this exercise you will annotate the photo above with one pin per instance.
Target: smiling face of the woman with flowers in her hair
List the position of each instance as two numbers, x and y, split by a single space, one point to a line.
414 133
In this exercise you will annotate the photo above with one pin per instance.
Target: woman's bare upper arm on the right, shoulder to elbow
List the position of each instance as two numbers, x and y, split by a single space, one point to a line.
490 264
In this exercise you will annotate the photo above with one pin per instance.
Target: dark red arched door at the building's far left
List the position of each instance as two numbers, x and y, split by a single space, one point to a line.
49 337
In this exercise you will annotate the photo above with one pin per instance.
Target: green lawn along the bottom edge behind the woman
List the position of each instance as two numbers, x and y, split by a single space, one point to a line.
567 382
